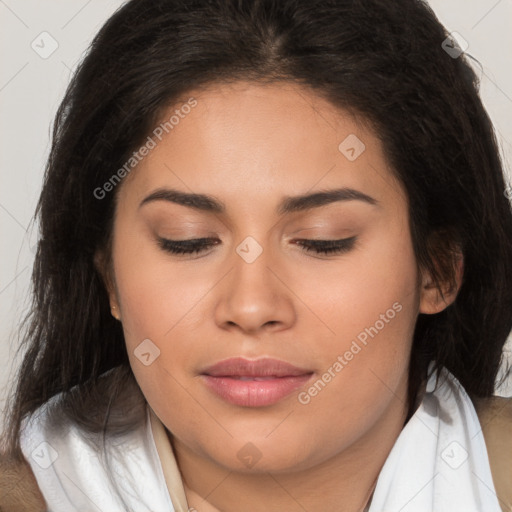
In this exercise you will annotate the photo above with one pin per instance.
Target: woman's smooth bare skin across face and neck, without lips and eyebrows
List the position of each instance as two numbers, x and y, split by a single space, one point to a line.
249 145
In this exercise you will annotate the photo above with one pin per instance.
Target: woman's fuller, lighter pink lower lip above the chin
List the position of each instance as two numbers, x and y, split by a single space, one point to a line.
253 393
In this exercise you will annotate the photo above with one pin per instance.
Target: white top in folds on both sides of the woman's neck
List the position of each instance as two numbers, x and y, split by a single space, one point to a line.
439 463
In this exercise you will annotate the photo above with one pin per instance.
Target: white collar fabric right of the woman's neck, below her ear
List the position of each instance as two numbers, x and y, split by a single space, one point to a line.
439 461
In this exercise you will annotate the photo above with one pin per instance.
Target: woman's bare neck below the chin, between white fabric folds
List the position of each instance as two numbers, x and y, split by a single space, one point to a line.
345 480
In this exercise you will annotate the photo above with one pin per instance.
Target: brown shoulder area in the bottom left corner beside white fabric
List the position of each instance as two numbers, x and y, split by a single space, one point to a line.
19 491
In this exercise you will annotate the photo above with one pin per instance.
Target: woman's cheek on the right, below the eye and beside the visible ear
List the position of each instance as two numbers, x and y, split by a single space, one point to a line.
370 306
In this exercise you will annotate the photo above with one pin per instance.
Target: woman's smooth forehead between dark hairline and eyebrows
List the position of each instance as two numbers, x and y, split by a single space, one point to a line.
244 141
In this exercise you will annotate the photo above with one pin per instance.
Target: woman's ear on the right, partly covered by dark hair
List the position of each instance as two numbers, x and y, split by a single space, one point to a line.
434 300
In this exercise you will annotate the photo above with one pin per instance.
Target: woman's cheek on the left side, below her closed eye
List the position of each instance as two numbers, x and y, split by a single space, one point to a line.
158 303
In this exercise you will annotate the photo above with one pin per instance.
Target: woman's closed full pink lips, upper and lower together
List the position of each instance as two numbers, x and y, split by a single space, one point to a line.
259 383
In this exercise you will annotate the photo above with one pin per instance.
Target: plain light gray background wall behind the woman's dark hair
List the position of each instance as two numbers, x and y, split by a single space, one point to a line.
31 88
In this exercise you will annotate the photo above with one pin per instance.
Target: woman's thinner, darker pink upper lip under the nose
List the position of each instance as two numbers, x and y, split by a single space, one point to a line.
265 367
